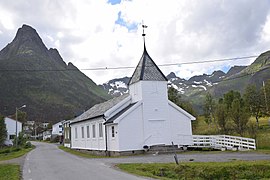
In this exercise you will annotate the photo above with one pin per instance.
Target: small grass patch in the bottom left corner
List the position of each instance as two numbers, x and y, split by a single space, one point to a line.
9 172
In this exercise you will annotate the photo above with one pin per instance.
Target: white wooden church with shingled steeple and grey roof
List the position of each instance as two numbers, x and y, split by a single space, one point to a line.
142 118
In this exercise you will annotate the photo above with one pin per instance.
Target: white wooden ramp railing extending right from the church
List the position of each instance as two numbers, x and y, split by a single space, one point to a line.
223 142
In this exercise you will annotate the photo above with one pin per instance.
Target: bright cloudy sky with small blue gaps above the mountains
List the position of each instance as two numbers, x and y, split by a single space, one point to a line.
102 33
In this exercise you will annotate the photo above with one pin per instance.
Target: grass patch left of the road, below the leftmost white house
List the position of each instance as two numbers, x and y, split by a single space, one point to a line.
11 153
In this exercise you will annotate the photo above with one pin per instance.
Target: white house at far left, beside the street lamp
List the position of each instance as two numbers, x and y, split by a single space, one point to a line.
11 128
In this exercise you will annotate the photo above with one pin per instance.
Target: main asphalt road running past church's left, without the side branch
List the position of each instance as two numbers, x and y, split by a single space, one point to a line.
47 162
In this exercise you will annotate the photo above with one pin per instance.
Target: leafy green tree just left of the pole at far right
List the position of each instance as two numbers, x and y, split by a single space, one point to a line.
253 99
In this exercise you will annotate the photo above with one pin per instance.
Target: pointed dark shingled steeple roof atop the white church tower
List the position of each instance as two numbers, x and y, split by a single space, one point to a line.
147 70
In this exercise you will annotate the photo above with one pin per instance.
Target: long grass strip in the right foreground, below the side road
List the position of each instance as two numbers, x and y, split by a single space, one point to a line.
199 170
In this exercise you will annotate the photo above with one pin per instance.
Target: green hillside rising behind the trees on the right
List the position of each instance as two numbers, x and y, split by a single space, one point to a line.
255 73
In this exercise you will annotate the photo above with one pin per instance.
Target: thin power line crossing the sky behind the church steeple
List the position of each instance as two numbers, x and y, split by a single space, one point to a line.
129 67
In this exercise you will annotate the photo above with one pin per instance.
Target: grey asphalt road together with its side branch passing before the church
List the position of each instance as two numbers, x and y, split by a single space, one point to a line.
48 162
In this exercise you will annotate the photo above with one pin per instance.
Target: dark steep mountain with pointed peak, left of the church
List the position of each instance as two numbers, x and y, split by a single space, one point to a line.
36 76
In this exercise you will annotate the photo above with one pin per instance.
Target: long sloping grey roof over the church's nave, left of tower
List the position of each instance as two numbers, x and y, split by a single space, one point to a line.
99 109
